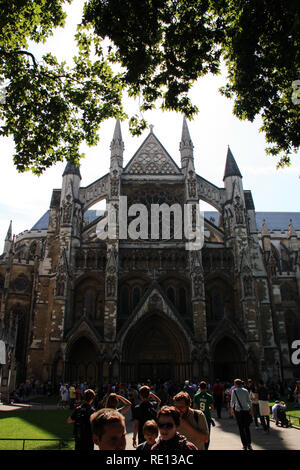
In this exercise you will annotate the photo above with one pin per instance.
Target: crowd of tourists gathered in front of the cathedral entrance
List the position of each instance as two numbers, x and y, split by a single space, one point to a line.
168 416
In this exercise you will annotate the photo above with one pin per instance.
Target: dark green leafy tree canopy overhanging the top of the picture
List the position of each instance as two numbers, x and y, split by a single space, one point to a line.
162 48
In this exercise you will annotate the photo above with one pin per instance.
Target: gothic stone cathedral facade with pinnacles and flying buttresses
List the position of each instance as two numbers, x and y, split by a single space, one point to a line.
75 306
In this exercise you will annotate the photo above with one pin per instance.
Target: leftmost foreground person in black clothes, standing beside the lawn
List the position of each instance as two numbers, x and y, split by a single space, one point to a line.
81 419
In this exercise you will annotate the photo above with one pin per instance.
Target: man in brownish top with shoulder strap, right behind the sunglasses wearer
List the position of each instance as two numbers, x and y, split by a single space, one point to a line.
193 424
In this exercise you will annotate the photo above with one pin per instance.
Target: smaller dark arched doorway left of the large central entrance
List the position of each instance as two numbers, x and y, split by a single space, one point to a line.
82 363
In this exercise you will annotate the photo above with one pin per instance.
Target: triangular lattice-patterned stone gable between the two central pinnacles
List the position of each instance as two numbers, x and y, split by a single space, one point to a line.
152 159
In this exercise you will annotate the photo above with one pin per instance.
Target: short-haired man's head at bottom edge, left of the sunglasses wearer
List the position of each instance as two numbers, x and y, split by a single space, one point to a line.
108 429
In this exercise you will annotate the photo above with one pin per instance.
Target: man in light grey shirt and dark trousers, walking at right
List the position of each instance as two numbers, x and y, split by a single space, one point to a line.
241 407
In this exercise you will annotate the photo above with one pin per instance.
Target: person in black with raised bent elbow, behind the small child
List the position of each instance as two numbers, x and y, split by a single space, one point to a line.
143 412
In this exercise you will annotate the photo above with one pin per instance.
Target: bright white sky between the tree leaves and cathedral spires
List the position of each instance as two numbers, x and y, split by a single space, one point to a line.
24 197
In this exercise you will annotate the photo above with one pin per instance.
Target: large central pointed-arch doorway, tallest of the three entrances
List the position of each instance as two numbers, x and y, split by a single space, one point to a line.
155 349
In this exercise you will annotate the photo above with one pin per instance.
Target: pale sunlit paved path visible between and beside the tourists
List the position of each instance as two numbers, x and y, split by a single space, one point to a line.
224 436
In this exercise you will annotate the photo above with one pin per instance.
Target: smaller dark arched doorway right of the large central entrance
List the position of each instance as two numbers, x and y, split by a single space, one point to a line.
228 359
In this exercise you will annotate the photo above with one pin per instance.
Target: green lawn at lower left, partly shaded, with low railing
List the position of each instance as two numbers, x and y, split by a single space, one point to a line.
35 424
